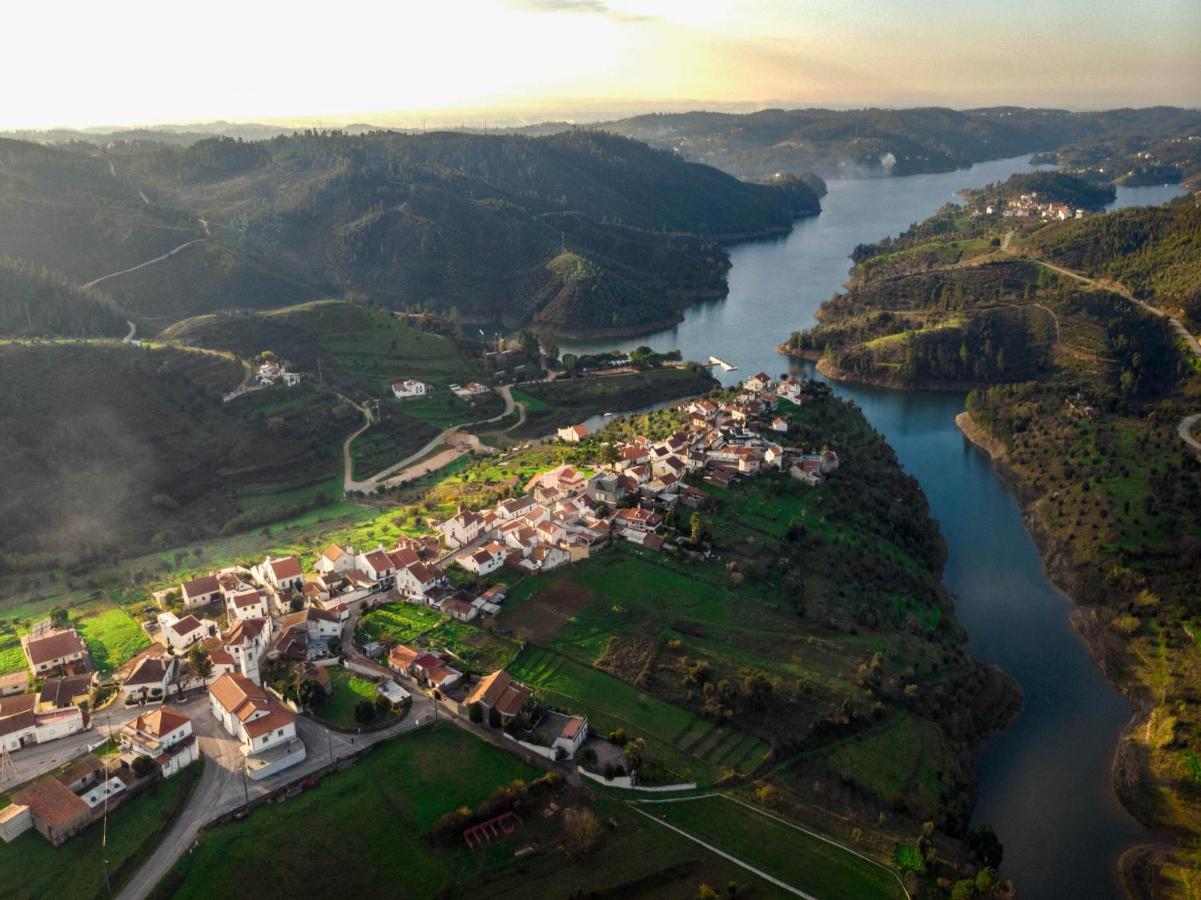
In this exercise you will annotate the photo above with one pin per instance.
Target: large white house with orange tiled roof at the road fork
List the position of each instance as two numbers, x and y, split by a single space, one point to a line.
265 728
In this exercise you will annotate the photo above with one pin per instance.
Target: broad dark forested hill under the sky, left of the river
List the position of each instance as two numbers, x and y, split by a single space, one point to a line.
443 222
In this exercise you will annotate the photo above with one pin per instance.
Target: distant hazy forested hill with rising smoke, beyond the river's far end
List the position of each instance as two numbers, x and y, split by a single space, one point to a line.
899 142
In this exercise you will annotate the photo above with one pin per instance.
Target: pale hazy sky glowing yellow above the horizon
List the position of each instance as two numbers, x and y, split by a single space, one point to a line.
142 62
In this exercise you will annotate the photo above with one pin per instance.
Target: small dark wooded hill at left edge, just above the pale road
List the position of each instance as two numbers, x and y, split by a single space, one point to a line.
37 302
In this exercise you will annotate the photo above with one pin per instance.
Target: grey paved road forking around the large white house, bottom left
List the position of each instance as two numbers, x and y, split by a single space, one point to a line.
224 786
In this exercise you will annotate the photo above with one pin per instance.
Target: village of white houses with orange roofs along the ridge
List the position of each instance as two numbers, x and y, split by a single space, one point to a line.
243 655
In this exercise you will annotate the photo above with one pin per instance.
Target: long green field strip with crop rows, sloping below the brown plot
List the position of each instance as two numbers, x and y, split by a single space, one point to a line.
690 748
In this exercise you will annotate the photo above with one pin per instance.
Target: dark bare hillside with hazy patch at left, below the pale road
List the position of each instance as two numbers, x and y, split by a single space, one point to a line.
113 450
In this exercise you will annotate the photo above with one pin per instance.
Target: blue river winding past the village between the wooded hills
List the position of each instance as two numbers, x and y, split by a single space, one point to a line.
1044 782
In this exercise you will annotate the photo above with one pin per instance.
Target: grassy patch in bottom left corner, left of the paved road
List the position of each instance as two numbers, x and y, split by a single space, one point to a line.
33 868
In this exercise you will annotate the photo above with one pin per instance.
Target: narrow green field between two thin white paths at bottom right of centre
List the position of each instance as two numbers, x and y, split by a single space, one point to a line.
796 857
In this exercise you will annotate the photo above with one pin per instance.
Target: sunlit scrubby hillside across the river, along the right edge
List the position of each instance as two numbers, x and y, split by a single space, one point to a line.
1080 397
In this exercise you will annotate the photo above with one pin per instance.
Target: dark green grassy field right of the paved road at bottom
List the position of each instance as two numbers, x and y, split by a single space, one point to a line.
361 832
